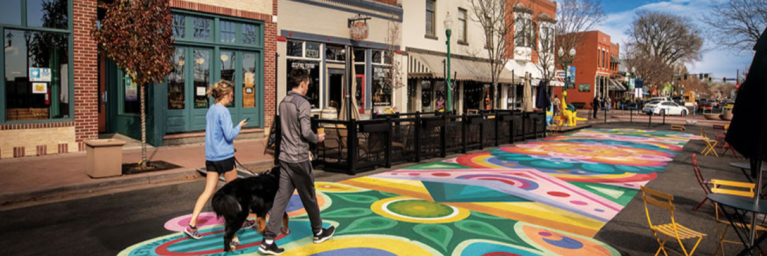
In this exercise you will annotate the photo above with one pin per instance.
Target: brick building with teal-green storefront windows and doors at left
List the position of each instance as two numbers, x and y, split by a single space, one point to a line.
69 114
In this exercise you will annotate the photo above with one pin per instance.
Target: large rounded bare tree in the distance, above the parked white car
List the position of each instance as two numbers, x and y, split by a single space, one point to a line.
657 41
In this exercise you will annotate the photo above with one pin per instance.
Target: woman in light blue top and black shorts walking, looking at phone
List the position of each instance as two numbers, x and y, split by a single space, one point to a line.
219 149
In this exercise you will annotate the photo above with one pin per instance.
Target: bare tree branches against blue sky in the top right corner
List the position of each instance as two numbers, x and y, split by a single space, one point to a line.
736 24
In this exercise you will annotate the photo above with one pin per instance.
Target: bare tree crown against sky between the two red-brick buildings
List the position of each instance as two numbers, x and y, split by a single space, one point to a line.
573 17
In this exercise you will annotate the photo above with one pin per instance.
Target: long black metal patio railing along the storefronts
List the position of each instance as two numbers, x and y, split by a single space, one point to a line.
353 146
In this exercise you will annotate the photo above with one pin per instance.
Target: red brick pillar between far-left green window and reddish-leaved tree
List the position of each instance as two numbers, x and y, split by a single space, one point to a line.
86 71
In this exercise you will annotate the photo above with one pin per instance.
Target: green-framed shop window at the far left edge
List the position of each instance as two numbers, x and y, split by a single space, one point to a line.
69 32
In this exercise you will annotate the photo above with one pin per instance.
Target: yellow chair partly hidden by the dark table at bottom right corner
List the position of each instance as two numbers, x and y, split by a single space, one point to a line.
735 188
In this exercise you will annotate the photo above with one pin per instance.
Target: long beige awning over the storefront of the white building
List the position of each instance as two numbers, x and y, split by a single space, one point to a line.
421 65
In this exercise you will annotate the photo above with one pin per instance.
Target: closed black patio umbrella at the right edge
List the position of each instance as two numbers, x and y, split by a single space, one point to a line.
748 129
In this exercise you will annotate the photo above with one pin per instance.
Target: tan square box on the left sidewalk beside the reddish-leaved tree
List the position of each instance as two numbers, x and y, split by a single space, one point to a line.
104 158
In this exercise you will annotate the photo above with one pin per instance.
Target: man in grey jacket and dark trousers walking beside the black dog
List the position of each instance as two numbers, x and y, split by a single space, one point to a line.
295 164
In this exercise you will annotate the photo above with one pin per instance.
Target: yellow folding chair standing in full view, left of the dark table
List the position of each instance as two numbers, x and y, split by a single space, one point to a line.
668 230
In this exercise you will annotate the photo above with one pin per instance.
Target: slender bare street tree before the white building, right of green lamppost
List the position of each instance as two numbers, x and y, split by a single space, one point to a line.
493 16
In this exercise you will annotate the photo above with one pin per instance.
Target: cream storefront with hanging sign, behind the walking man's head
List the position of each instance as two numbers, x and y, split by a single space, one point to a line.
315 35
